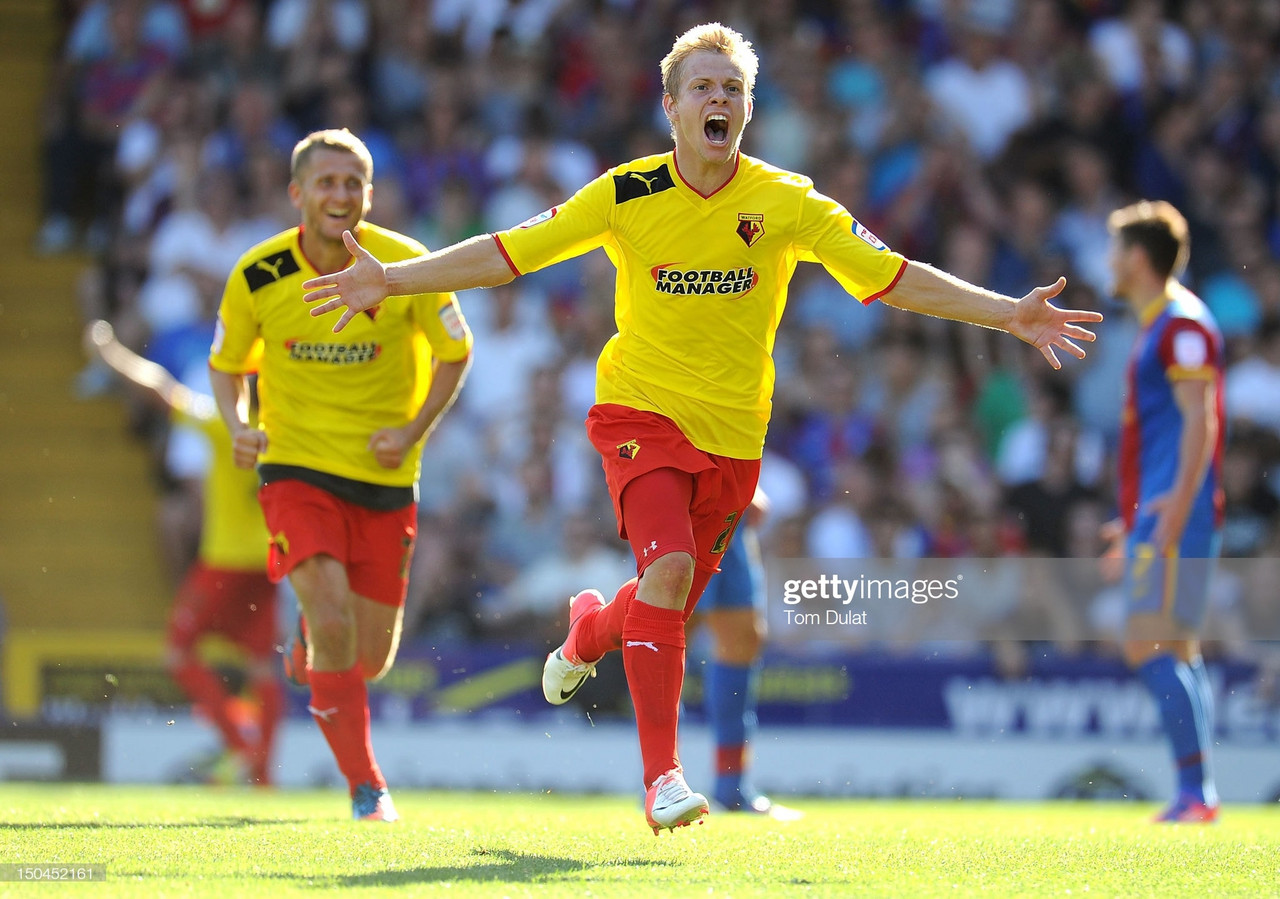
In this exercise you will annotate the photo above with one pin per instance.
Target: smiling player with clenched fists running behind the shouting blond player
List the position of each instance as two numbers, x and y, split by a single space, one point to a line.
340 437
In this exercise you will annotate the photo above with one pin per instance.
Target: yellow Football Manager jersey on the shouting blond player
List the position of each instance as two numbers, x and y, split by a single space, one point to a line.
702 285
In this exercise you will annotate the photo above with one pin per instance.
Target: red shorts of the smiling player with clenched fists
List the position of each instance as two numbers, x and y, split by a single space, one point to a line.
374 546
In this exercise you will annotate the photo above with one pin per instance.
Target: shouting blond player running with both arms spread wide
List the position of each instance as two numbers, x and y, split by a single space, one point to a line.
705 240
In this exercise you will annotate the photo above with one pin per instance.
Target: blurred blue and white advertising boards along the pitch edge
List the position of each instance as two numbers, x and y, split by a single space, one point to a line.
831 727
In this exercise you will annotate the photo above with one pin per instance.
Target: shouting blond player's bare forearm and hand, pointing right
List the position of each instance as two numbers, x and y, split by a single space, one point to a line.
1034 320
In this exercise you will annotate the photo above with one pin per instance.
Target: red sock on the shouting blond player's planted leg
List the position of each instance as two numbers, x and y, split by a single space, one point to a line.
653 655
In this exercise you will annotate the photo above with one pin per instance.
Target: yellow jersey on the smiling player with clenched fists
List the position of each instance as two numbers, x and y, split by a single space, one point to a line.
322 396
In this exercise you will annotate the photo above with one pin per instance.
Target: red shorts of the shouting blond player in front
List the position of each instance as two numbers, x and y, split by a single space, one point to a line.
669 496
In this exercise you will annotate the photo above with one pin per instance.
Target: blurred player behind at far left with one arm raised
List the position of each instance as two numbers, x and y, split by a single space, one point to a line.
226 591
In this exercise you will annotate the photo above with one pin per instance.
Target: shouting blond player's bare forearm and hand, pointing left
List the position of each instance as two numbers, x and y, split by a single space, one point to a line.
367 282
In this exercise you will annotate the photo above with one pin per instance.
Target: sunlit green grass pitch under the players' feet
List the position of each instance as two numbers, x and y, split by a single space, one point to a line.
230 843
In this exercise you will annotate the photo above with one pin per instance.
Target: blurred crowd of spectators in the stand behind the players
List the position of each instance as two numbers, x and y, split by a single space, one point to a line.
990 138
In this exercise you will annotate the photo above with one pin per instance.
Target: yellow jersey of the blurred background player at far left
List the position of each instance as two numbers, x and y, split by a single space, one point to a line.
234 535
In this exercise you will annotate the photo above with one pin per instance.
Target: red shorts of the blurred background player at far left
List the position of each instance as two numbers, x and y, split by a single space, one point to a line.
237 605
